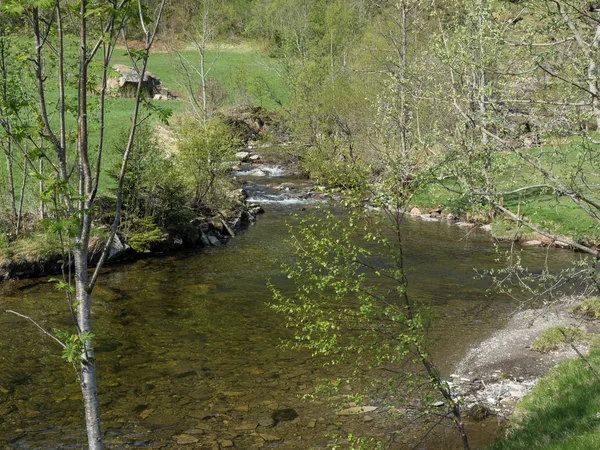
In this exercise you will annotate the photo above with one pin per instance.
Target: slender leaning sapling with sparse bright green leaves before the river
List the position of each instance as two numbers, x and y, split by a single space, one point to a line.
350 302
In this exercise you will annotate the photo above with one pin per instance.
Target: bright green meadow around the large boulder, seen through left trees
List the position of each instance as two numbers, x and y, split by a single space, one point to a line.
244 74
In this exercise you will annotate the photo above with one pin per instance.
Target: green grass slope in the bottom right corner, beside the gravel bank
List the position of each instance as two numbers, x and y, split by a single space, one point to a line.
561 413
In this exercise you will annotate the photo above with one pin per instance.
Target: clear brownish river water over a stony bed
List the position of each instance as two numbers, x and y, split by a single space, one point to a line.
186 344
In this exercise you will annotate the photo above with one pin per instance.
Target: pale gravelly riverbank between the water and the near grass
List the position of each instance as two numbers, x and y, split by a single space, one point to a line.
496 374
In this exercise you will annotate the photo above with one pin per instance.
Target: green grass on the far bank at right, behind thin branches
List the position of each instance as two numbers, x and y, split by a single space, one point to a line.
555 214
